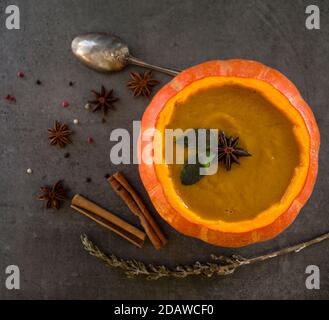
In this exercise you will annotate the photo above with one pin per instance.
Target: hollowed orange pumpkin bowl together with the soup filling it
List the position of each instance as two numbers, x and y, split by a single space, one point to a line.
260 198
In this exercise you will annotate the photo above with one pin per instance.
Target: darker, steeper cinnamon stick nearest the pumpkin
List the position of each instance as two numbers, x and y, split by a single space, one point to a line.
126 192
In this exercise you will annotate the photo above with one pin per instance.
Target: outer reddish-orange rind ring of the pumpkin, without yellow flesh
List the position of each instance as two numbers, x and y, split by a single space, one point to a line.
234 68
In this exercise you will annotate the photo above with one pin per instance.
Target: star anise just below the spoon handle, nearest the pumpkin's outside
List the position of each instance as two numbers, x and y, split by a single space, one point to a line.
142 84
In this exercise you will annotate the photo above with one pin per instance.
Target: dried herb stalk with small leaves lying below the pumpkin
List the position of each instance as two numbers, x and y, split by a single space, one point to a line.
224 265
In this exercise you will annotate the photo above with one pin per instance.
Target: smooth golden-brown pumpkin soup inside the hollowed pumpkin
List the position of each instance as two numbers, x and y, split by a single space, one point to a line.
260 180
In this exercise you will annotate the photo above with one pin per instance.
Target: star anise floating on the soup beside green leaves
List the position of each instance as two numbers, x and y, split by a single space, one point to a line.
228 150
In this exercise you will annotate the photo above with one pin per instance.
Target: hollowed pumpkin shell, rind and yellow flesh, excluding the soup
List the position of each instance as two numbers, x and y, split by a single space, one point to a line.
266 225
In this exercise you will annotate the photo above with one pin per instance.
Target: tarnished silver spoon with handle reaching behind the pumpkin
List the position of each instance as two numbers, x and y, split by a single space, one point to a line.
107 53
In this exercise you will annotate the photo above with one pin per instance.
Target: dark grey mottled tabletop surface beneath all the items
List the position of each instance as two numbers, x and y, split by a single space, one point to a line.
45 244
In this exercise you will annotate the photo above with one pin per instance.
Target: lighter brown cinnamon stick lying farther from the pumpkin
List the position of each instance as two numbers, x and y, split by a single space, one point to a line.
108 220
